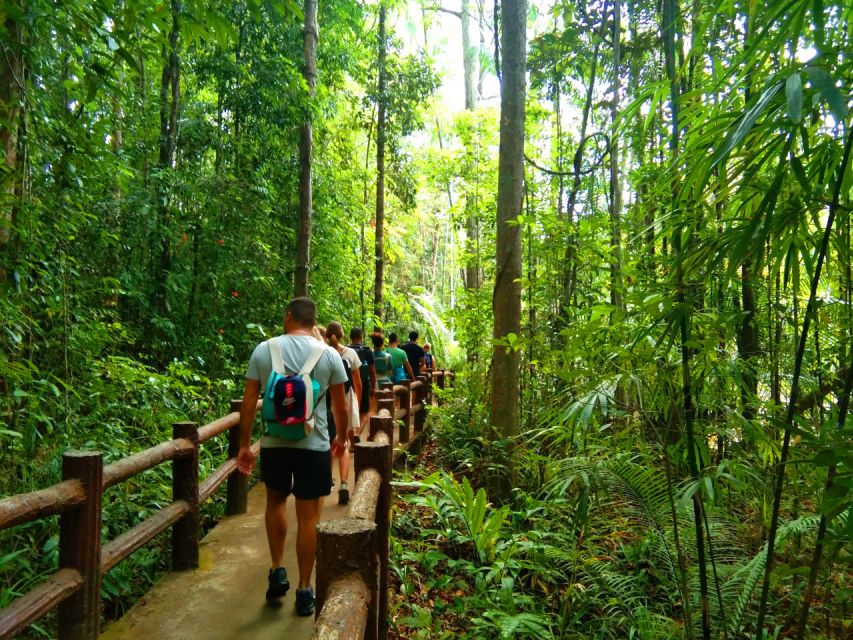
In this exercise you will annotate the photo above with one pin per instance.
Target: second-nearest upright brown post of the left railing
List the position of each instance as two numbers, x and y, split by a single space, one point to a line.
185 532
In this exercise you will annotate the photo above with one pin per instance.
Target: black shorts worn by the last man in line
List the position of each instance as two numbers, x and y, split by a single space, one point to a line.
306 474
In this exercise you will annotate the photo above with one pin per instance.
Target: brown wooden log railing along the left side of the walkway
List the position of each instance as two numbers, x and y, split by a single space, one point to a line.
83 559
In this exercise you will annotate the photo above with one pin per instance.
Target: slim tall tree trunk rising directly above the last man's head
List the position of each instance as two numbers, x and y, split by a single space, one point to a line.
303 231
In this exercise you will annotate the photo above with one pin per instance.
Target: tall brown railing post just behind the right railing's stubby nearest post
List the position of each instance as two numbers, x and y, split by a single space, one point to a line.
378 456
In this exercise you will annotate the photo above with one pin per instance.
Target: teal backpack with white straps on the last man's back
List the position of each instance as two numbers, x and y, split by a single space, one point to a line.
290 400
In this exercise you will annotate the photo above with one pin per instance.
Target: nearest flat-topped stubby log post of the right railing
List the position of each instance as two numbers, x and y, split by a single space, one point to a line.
342 546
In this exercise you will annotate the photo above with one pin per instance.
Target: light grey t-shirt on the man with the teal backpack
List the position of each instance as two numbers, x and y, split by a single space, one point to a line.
329 370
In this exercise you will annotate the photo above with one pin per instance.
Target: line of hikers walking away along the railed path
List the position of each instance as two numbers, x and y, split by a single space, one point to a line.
317 397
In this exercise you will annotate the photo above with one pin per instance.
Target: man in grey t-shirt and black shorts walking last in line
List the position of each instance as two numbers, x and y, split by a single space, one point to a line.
298 466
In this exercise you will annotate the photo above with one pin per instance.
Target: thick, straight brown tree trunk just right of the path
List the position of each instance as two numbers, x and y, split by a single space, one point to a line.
506 300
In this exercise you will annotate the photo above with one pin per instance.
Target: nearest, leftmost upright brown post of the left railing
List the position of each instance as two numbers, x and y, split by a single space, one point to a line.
80 547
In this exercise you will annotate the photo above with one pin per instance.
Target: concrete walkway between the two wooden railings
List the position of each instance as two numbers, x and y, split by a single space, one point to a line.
224 598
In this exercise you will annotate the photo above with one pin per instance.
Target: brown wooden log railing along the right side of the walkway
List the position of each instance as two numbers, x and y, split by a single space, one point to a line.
353 567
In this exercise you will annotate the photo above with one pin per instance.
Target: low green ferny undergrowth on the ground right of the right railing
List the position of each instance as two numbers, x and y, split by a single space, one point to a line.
592 543
